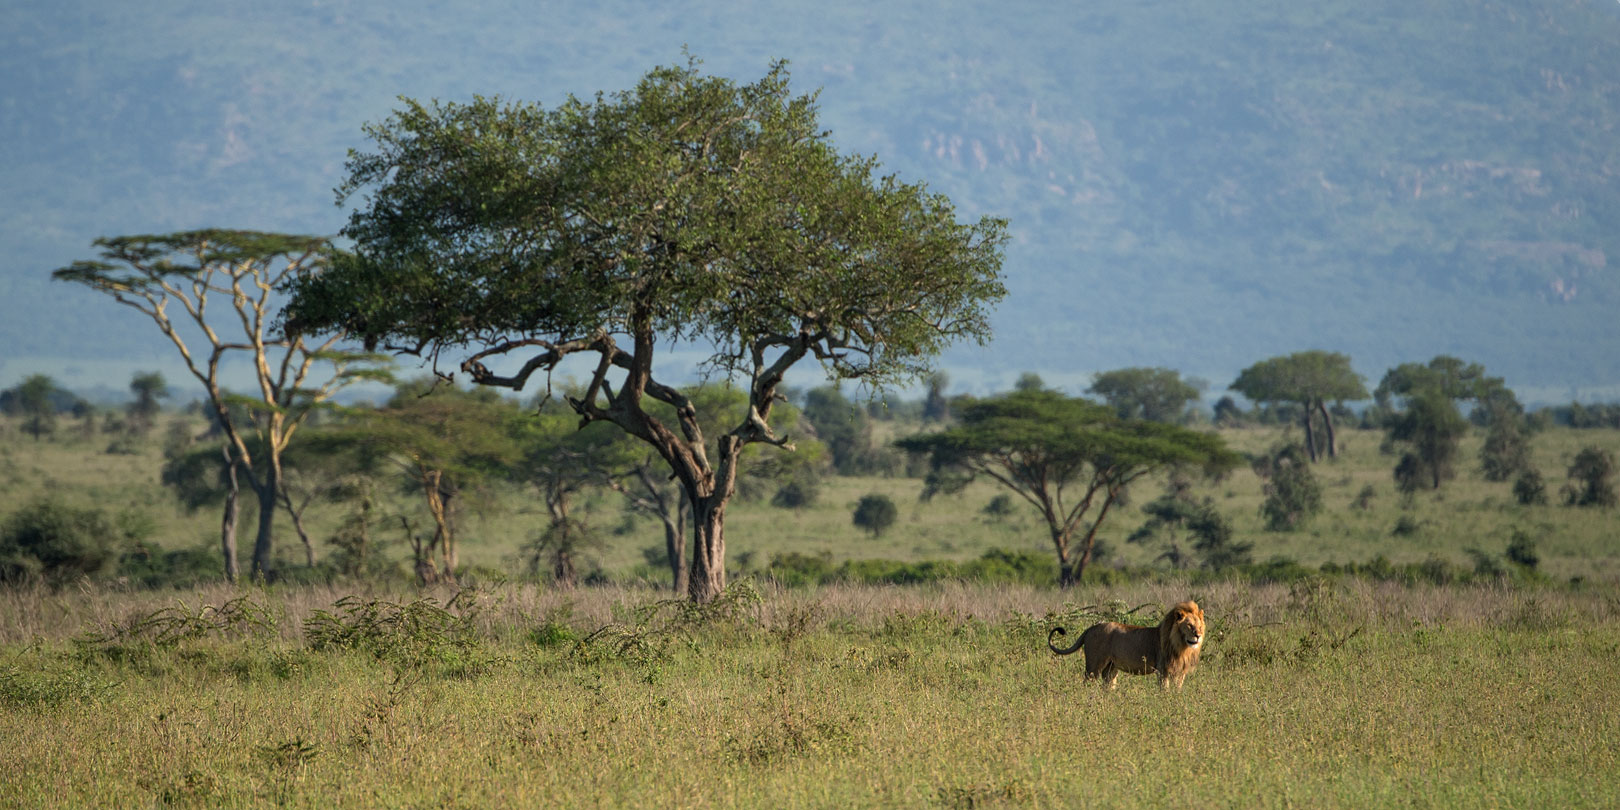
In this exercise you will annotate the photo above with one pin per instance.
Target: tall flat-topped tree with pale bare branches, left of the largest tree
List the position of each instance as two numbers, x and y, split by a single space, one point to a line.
292 377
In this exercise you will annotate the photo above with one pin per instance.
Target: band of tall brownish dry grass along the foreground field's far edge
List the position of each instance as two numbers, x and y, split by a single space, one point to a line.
509 612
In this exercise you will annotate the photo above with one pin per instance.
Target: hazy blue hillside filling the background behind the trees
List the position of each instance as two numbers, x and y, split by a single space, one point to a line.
1195 185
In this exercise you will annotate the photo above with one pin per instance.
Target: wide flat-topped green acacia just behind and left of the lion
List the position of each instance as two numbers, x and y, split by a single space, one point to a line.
1039 443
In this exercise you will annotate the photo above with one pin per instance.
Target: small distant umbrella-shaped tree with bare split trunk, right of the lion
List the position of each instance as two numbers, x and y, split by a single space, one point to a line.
1310 380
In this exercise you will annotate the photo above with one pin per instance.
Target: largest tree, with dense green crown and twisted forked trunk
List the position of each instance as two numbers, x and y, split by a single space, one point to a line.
689 210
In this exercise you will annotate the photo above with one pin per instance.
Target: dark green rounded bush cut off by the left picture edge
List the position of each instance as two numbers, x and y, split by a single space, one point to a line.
56 544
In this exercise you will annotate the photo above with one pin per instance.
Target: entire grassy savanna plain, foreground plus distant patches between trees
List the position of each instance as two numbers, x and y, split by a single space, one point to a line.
1465 683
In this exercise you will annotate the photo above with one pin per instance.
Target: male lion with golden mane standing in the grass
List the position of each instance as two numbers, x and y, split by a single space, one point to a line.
1172 649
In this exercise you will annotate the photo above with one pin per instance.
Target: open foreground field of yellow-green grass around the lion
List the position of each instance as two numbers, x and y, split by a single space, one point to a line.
1324 694
